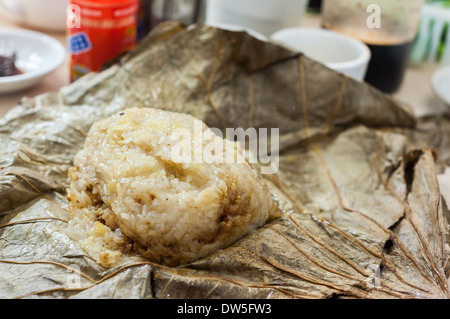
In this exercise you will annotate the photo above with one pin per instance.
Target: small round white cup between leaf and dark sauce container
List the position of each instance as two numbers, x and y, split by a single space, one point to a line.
335 50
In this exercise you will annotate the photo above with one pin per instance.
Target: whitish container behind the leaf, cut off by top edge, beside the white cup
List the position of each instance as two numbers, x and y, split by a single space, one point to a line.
263 16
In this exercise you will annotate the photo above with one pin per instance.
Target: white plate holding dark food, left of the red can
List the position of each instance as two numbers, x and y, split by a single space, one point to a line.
37 55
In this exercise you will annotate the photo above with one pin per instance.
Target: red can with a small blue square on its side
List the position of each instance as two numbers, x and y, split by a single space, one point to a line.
98 32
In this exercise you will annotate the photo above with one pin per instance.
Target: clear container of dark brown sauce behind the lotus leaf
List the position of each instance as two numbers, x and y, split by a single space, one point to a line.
388 28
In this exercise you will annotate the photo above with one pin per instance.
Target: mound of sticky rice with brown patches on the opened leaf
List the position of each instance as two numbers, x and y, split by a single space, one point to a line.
129 193
